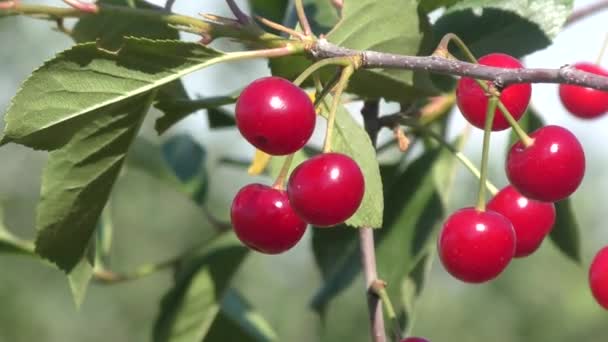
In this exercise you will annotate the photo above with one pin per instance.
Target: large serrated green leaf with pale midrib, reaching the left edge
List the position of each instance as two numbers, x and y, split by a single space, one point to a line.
65 93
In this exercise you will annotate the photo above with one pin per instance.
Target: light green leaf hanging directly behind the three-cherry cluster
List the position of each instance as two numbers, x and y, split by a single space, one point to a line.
351 139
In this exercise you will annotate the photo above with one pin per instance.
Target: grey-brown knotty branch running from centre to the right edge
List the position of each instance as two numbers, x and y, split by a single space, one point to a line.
500 76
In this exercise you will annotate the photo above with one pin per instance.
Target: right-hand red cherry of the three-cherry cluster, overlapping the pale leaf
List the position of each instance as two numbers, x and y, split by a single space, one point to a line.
326 189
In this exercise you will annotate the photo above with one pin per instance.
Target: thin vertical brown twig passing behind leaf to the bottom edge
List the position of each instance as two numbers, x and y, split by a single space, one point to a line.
366 238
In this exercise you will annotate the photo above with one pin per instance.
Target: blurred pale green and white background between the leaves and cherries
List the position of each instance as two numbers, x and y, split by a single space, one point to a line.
541 298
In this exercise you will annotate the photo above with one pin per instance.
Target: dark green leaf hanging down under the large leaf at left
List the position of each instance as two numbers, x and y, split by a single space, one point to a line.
78 178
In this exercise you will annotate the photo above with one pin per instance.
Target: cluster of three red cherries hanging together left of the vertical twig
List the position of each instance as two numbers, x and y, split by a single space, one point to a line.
279 118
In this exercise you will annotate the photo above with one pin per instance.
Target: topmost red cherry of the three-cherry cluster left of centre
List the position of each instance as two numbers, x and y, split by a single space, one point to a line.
275 116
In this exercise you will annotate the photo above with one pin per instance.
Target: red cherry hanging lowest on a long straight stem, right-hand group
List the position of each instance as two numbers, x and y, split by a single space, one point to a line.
476 246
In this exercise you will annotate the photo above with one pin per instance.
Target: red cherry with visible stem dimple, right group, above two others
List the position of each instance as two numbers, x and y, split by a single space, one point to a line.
549 170
